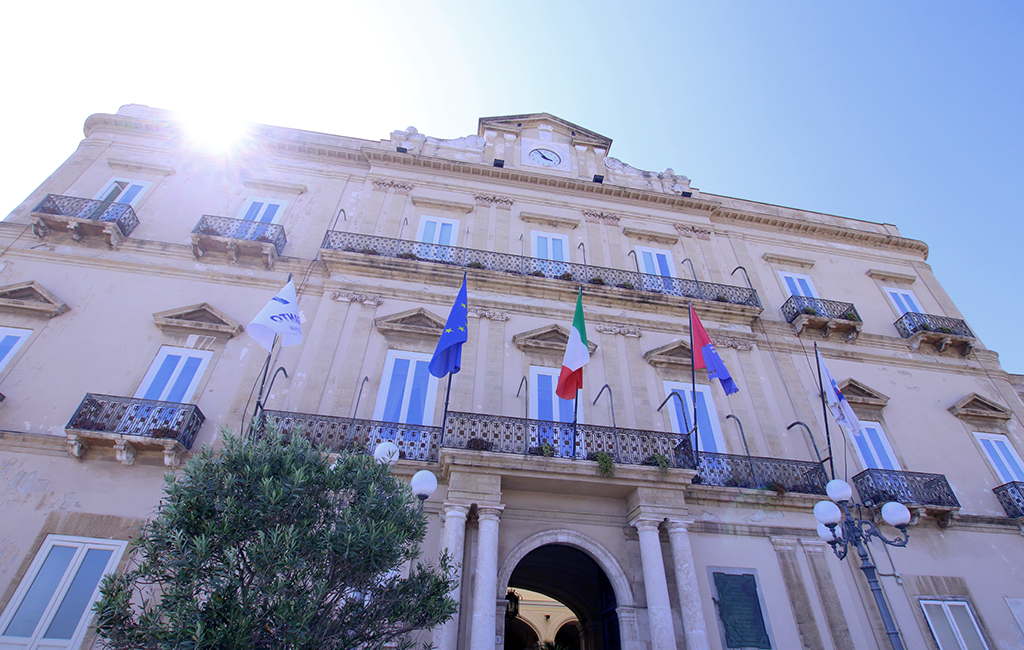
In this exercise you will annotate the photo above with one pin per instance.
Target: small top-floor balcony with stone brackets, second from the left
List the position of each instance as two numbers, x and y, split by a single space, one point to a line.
239 238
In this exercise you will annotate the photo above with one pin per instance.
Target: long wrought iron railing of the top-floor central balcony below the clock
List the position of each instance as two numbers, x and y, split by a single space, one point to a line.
522 266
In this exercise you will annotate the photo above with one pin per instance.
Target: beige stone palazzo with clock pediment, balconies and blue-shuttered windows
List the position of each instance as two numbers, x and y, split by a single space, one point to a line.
127 277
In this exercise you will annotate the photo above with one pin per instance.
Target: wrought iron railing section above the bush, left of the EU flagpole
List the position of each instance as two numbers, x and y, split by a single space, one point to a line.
415 443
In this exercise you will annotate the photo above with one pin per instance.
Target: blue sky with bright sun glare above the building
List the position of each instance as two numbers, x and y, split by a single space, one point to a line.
907 113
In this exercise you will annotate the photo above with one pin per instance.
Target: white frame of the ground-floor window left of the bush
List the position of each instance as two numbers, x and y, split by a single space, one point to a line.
82 545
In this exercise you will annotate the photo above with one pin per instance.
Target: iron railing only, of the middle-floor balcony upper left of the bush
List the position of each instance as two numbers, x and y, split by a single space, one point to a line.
139 418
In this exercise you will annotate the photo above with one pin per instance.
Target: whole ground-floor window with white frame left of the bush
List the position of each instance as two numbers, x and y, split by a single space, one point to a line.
53 605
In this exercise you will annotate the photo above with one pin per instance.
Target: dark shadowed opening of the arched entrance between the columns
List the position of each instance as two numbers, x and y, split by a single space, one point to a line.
573 578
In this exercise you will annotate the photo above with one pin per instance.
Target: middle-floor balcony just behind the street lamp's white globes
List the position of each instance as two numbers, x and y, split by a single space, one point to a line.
929 494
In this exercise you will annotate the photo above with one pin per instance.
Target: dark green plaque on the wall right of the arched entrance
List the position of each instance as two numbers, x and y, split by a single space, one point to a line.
741 610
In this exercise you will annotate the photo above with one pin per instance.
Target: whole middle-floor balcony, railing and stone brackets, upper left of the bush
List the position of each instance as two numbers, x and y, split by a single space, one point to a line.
133 425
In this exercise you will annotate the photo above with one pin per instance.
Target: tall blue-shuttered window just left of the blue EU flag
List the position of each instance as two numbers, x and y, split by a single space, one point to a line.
408 389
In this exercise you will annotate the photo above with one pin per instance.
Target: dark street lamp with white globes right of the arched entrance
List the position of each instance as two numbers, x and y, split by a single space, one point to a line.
840 529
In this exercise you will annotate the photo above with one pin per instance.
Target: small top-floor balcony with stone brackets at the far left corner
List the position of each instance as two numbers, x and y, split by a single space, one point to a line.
84 219
